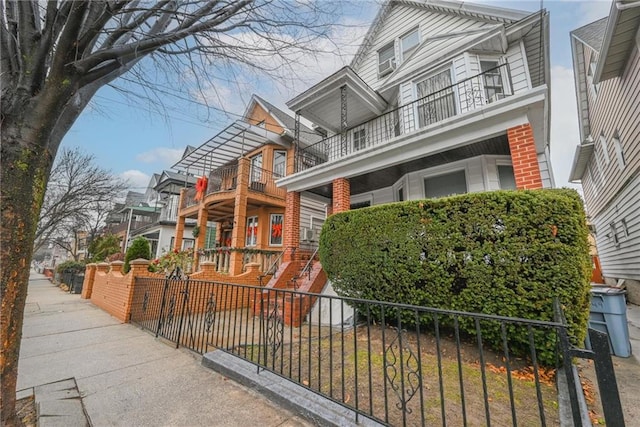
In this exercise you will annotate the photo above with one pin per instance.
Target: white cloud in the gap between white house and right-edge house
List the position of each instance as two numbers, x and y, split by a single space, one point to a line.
564 124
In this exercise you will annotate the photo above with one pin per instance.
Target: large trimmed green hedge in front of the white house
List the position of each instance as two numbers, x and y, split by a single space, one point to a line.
505 253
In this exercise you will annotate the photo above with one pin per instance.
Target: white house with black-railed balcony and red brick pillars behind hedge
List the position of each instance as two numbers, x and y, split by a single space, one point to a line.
441 98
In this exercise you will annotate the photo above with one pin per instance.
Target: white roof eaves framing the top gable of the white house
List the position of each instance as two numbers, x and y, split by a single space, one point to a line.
462 9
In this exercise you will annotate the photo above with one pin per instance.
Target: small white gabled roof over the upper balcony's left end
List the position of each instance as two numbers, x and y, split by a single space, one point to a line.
322 103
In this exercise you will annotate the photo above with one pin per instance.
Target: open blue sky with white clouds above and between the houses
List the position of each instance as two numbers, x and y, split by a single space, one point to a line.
136 138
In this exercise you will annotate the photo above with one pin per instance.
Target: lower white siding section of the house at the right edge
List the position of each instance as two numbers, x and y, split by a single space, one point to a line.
623 260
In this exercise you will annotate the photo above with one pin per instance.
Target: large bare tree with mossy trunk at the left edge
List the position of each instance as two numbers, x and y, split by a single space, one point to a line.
55 57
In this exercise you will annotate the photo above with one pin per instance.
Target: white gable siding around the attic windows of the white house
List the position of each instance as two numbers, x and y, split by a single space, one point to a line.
402 19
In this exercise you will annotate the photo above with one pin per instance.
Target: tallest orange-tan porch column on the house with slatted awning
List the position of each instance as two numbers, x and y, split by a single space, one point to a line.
240 216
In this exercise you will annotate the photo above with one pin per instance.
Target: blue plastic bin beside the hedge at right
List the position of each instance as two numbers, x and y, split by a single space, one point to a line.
608 314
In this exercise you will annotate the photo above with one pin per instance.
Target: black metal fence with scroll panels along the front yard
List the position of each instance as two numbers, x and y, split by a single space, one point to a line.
398 364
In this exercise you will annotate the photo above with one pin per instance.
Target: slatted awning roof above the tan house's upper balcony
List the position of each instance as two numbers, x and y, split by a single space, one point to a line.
228 145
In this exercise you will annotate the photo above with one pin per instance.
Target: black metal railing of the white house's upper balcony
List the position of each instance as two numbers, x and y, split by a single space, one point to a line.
460 98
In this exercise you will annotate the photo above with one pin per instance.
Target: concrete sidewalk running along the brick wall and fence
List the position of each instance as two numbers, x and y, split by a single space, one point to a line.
124 376
